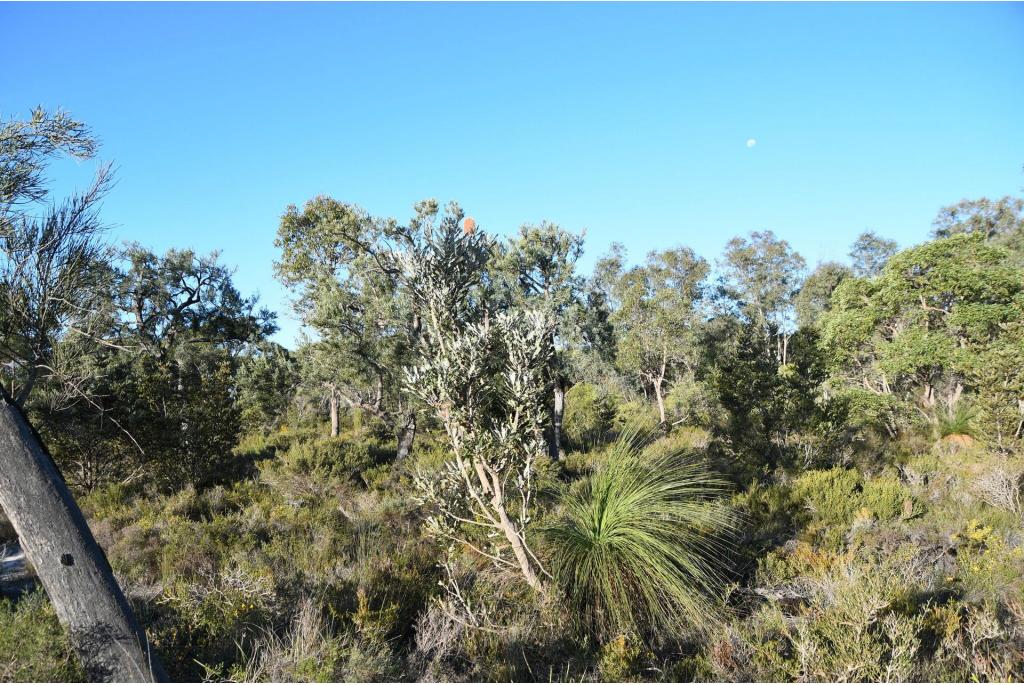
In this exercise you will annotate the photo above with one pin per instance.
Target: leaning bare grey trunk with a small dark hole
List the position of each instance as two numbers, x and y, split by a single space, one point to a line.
71 566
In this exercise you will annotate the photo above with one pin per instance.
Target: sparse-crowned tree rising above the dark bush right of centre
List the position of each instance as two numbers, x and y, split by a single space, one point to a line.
762 275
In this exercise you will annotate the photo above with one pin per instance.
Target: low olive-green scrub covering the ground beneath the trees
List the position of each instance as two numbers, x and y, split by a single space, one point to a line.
316 569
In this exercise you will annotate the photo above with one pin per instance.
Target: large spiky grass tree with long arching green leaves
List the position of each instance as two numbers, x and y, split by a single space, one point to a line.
635 545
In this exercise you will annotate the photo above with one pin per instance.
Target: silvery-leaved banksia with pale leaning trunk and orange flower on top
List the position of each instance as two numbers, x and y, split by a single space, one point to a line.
483 375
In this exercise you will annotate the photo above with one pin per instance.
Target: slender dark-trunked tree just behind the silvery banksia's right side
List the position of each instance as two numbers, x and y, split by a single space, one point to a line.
541 264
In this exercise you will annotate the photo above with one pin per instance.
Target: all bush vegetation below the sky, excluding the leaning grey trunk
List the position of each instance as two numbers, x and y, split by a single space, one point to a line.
830 486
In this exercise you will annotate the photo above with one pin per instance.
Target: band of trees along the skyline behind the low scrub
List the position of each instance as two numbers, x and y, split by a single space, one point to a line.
145 366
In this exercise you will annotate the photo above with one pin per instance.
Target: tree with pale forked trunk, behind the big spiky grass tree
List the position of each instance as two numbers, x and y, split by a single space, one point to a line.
657 310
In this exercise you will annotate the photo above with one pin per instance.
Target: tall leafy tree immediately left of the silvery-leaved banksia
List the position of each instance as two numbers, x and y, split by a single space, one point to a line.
340 264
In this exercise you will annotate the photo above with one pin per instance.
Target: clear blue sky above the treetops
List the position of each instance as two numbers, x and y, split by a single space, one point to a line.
629 121
